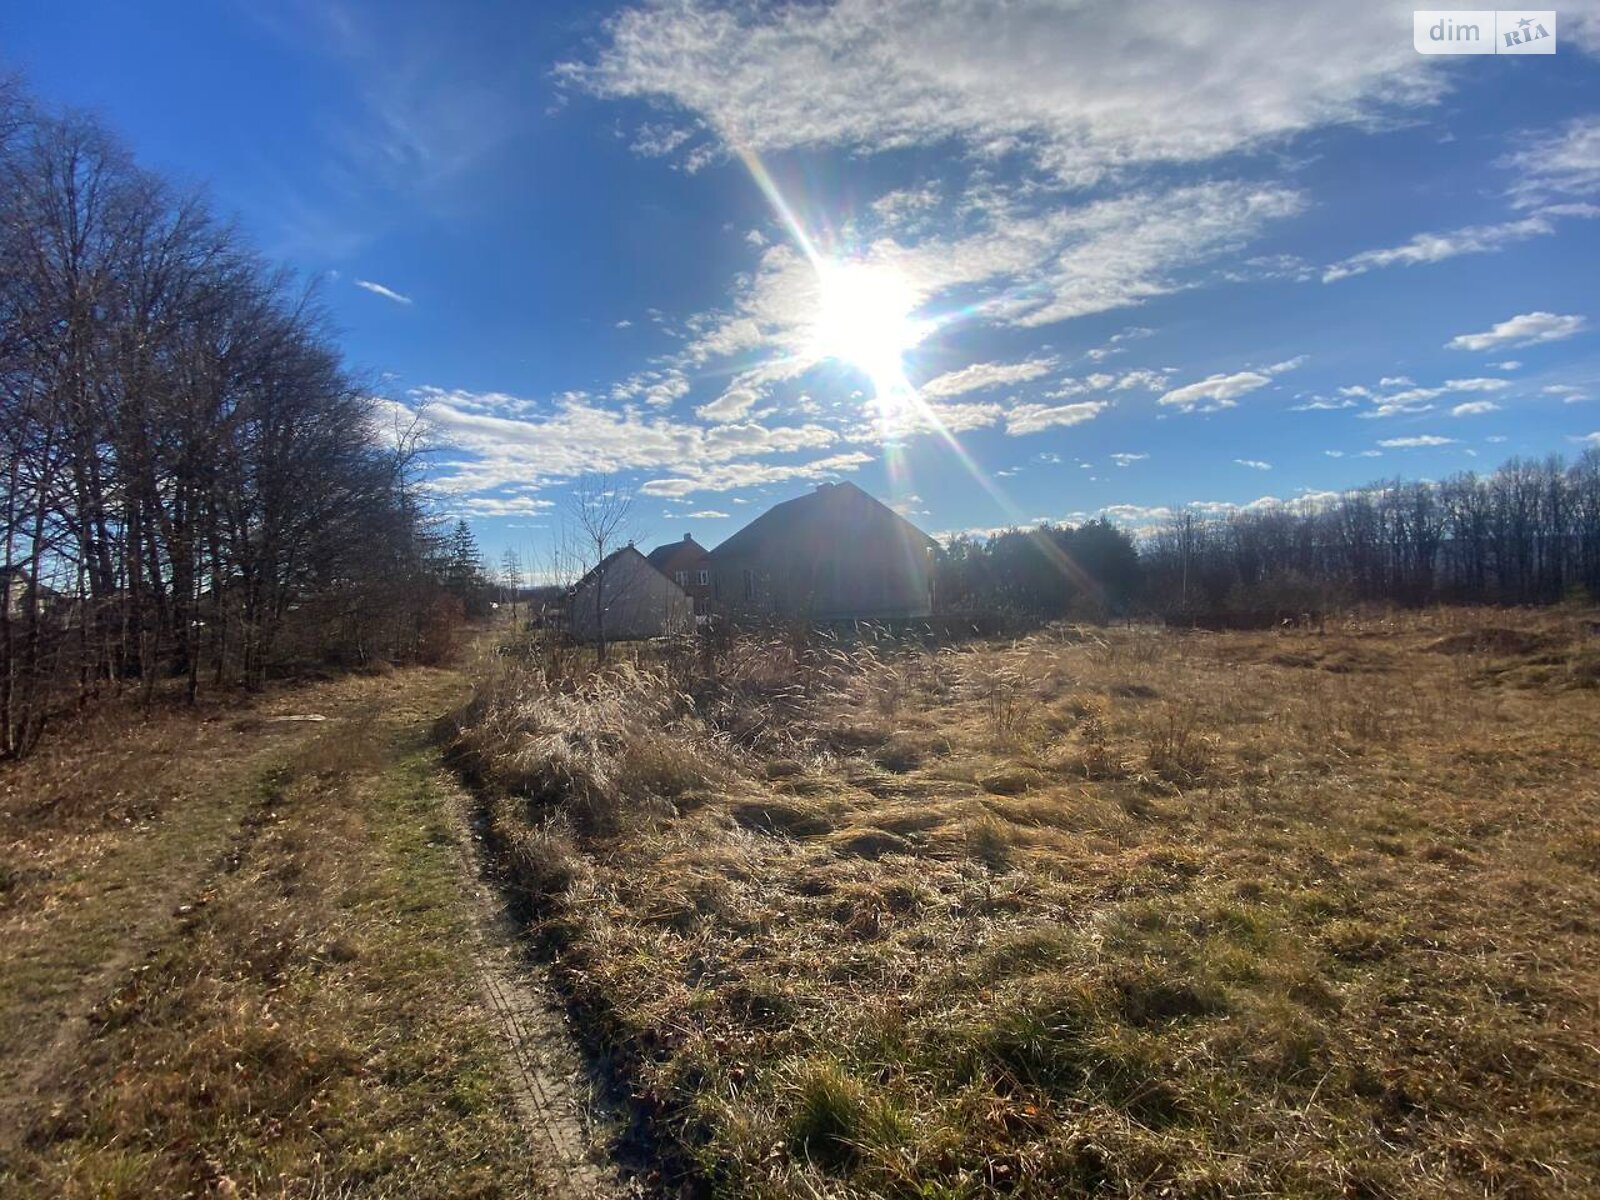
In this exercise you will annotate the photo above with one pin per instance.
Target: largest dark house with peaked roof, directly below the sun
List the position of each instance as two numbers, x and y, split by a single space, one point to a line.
834 554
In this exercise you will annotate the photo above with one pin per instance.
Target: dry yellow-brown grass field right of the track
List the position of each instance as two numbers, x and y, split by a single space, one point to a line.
1097 911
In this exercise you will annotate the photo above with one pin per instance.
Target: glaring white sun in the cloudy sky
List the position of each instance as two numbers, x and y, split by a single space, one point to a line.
865 319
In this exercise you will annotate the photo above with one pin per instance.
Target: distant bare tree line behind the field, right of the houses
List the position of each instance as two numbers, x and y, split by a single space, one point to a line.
1524 535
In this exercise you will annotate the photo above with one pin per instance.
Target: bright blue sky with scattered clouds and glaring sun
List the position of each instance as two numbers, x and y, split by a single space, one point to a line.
996 268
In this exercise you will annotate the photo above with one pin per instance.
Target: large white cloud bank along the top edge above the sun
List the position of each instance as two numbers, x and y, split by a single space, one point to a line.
871 76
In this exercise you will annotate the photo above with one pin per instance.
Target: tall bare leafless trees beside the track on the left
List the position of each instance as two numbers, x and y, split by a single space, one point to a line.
193 484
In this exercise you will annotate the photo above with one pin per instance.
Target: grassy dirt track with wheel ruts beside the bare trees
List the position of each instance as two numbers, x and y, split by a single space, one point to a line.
337 852
